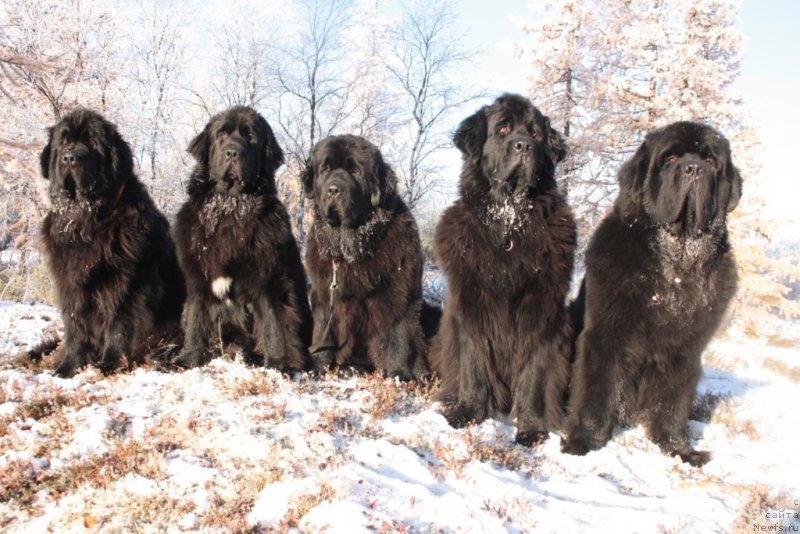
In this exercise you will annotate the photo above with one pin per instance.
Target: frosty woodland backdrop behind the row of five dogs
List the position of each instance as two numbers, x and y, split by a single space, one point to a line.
402 73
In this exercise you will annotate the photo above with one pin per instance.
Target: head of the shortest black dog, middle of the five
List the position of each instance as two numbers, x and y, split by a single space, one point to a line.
348 179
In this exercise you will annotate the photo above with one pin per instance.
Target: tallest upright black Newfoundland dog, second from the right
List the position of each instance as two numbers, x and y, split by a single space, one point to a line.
506 247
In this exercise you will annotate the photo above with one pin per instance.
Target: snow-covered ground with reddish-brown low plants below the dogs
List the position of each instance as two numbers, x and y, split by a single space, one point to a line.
231 448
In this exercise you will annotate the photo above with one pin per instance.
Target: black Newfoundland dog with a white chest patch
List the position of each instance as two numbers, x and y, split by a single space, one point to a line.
244 277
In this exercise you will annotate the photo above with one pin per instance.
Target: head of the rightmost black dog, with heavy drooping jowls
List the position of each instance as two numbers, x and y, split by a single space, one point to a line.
681 177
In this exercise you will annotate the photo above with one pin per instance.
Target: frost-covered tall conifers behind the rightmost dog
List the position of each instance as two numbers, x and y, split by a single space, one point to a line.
614 69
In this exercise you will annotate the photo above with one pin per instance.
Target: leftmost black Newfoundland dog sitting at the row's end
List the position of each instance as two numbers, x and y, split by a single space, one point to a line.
107 246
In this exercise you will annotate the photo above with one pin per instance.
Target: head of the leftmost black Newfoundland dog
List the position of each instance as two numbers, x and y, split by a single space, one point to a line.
86 160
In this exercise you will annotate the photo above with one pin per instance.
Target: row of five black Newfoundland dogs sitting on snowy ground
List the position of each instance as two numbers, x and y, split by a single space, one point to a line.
659 269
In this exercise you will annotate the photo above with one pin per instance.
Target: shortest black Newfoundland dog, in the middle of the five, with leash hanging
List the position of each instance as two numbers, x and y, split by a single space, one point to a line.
365 262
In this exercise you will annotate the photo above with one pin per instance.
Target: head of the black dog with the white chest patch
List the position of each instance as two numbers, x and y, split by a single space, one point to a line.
236 154
